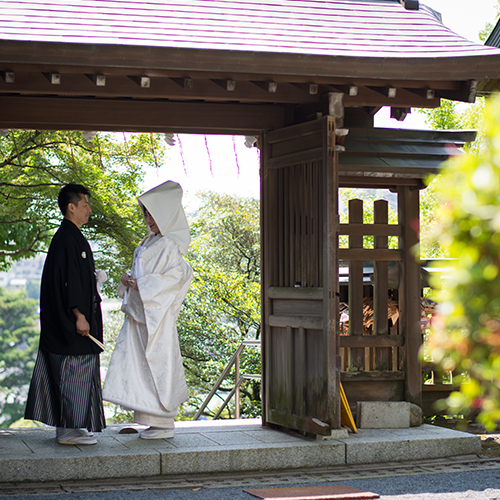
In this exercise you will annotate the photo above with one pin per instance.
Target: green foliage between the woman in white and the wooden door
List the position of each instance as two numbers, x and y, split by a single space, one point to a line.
222 307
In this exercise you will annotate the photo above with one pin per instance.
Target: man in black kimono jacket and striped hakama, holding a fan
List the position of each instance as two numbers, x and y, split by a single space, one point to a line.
65 390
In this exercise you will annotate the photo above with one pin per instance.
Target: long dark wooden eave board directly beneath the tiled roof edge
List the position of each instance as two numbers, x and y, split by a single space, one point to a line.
258 66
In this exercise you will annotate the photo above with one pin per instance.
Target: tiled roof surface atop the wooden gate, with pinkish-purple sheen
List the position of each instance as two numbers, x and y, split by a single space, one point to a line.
359 28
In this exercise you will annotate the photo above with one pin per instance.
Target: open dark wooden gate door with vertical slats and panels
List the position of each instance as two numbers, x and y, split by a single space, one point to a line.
299 279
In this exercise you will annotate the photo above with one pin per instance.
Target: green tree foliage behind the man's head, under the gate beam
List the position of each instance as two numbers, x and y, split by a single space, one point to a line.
34 165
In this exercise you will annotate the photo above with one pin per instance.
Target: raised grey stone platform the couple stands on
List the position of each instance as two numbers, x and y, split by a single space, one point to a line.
201 447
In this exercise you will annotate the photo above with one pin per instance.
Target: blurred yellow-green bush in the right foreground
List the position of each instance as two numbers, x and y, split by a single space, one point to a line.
466 337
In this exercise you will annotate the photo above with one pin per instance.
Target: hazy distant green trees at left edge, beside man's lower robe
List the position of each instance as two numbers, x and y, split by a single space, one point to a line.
18 349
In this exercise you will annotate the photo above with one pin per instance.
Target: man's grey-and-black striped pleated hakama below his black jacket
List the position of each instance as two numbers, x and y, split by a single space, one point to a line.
65 391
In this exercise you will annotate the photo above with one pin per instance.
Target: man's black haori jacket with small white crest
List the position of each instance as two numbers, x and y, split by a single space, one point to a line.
68 282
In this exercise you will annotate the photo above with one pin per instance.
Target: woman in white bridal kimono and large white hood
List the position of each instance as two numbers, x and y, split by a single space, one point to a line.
145 373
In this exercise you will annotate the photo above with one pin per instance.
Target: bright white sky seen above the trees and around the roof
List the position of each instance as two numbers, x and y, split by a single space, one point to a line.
225 165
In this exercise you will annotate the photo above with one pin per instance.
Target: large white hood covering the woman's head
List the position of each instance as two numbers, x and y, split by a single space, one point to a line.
164 204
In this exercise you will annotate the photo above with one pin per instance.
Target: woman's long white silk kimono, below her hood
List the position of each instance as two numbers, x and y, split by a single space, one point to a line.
145 373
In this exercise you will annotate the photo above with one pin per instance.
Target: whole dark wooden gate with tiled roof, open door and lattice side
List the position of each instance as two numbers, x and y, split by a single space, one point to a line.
307 79
